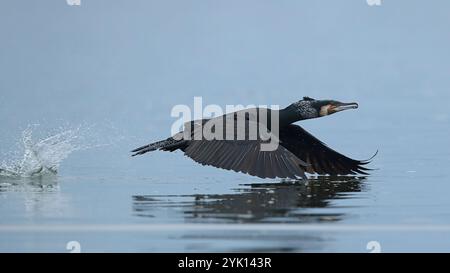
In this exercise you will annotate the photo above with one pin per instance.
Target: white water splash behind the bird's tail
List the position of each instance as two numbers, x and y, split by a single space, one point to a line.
44 156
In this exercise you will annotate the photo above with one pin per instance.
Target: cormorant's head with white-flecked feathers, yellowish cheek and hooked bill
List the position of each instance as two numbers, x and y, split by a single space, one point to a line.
311 108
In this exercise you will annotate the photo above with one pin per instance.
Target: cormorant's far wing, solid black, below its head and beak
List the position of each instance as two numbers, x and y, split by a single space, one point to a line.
320 158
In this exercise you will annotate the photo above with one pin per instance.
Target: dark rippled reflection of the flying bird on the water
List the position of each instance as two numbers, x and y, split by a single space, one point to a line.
268 202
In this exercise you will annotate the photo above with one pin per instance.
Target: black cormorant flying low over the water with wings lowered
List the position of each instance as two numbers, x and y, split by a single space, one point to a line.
298 151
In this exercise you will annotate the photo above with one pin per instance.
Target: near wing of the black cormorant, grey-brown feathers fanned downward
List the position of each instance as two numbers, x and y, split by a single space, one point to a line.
246 156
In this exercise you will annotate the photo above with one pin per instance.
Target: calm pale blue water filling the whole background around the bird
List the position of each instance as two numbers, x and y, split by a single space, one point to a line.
101 79
